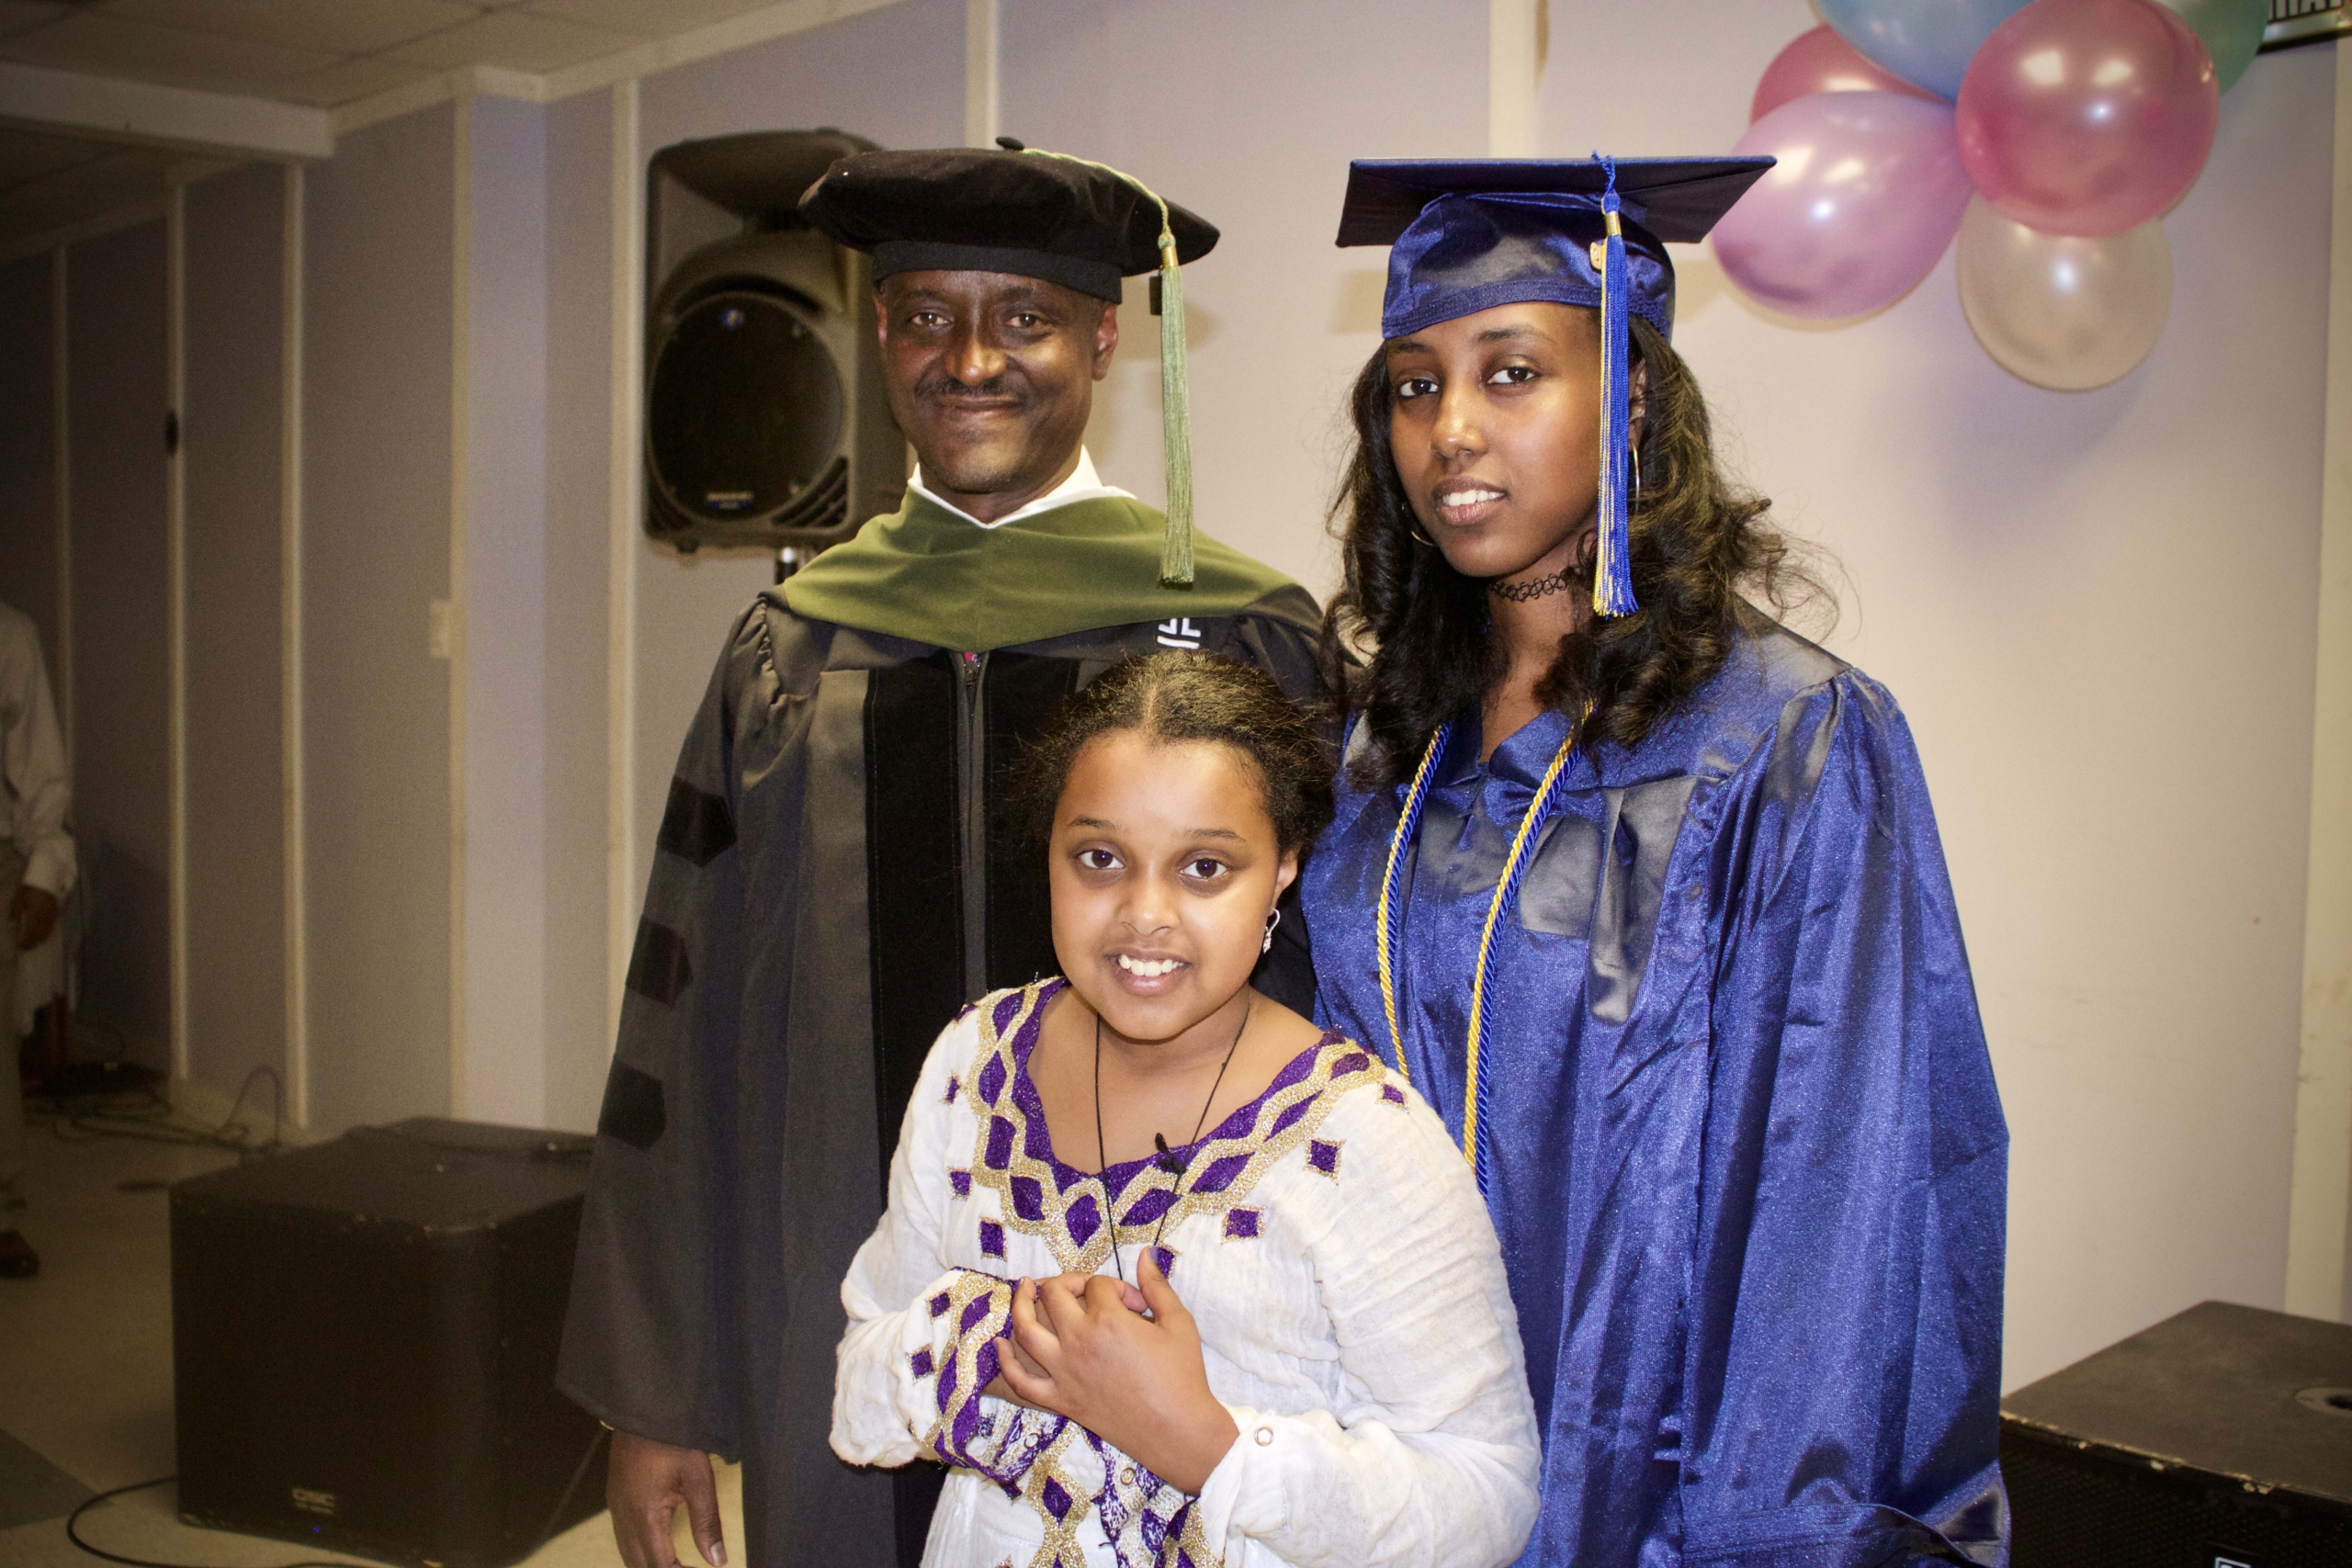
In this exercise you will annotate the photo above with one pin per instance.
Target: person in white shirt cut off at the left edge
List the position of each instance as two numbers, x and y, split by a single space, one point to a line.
36 873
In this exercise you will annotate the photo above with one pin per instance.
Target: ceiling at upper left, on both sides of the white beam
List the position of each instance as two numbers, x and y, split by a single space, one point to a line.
309 53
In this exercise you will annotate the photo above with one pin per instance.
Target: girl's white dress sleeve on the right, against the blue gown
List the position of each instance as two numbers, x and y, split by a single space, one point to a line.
1434 1454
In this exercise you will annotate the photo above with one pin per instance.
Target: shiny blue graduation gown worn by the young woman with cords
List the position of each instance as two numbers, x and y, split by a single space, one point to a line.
1749 1160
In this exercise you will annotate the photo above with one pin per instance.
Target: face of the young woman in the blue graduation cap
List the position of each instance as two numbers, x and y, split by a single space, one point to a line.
1495 424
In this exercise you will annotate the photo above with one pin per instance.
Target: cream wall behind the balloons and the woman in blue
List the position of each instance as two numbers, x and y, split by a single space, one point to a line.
2099 615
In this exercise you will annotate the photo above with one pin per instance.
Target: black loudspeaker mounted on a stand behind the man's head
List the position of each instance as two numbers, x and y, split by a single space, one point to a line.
766 413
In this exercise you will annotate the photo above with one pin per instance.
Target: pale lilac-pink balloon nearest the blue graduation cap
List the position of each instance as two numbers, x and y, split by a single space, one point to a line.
1866 196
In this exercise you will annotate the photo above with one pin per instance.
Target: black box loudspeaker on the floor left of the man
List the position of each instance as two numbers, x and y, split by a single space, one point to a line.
363 1343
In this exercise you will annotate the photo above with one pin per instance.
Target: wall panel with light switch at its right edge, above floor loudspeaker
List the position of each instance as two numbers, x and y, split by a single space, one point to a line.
377 497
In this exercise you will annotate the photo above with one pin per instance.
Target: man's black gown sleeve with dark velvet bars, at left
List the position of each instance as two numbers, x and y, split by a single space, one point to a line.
655 1320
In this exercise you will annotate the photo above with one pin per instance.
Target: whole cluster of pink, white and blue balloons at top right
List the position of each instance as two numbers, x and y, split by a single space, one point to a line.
2052 138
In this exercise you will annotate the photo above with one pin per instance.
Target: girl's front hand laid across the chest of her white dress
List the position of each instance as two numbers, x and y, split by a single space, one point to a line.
1135 1381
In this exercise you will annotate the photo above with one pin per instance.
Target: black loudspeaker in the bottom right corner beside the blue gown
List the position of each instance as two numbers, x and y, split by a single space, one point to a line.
2214 1440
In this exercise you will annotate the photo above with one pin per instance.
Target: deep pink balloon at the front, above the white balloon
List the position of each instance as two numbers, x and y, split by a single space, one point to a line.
2087 116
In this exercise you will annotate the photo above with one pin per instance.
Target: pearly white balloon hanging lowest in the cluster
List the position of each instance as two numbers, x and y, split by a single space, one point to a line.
2062 311
